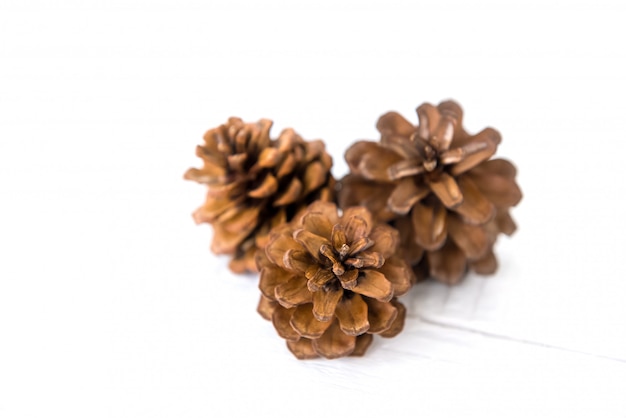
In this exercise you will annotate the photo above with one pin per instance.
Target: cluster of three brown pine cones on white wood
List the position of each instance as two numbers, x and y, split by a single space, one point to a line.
426 201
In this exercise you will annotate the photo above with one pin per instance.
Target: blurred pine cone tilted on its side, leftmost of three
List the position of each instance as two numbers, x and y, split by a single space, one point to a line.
255 183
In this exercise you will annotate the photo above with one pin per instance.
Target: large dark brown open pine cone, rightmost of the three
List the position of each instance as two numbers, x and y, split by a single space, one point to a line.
436 184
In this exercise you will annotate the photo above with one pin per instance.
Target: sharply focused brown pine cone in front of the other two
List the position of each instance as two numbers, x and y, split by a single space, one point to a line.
329 282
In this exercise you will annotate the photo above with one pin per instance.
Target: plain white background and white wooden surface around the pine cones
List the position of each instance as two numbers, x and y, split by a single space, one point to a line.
111 304
